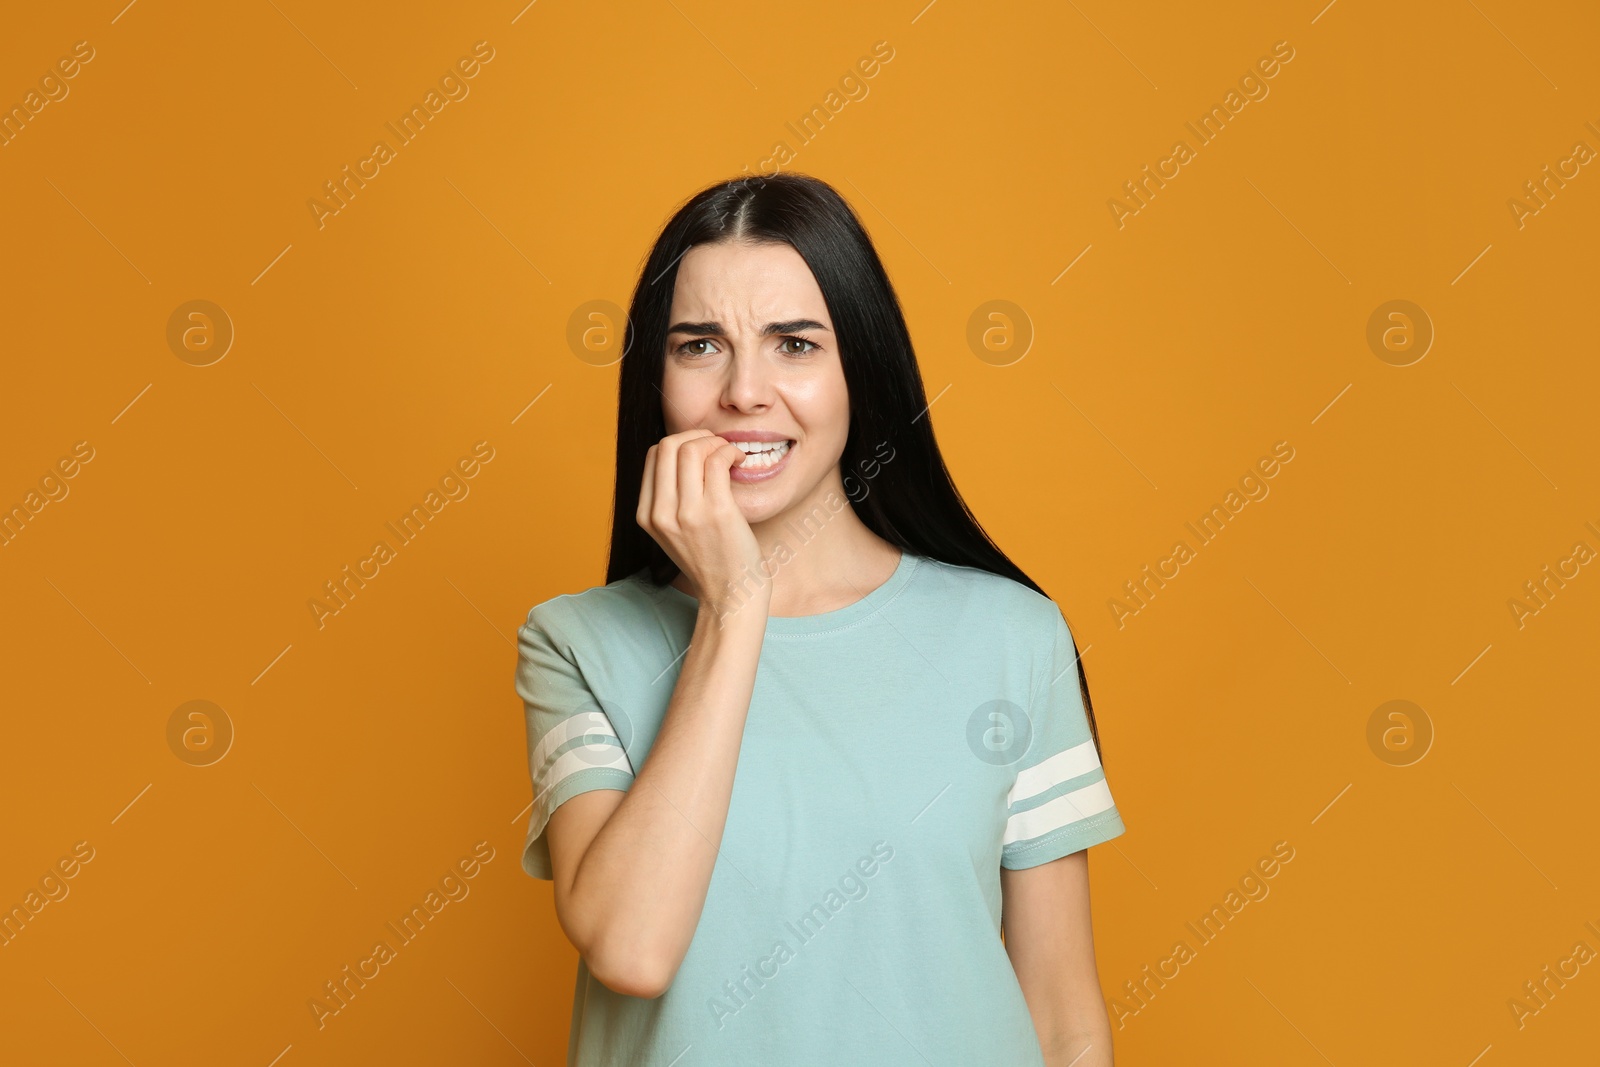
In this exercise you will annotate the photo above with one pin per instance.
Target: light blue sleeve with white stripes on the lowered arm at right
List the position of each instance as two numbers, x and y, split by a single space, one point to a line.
1060 802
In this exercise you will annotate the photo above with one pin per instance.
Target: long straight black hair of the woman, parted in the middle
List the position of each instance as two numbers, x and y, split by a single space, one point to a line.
913 503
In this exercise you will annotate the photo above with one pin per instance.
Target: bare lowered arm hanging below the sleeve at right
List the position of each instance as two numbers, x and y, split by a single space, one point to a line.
1050 940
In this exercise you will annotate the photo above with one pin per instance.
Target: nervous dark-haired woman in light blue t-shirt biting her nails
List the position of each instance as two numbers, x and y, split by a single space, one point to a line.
818 743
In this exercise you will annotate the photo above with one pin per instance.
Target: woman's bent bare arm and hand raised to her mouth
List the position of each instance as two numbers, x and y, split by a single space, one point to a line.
633 868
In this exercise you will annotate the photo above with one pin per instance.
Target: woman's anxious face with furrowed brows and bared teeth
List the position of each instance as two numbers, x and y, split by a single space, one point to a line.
751 350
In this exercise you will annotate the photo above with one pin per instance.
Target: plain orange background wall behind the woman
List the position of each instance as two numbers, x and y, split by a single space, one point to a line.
370 354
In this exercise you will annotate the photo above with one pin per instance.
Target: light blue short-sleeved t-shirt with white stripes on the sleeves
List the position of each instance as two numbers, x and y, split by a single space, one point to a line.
898 753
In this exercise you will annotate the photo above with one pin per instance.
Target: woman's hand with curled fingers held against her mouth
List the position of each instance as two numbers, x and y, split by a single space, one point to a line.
687 505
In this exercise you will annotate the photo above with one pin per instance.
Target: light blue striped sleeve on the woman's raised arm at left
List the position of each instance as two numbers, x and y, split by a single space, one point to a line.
572 745
